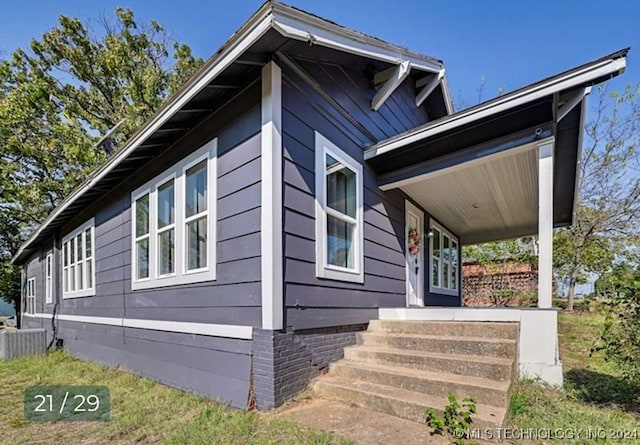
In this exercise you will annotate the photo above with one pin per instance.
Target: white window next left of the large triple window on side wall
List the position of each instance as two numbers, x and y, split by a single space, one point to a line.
78 262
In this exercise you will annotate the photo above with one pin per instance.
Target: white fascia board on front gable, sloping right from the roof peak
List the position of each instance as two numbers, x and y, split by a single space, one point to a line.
320 32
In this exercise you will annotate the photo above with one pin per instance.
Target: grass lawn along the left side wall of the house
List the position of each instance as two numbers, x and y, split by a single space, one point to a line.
142 411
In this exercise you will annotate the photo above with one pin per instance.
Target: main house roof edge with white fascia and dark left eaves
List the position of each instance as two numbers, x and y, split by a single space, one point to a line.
239 57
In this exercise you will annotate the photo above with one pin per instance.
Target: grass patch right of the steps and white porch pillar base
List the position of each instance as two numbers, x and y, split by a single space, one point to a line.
595 397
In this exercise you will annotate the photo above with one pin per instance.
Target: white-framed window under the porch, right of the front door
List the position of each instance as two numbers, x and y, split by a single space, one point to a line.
444 253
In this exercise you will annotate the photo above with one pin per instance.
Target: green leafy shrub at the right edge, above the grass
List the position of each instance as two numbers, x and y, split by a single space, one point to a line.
621 334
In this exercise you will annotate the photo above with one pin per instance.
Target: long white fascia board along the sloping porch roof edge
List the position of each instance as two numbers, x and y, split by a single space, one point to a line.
526 95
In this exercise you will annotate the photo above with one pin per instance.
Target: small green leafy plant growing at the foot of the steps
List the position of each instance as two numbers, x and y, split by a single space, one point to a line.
457 418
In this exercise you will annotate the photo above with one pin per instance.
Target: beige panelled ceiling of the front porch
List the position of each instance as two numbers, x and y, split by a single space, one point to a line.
495 197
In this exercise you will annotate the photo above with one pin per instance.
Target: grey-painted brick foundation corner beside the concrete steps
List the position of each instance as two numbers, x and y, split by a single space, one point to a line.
284 362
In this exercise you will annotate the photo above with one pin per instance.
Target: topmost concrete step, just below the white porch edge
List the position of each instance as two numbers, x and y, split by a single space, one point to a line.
448 328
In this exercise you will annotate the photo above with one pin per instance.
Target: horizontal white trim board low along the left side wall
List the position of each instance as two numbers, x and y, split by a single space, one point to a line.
208 329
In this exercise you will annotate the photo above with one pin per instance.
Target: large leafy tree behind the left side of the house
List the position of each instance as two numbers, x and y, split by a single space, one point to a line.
75 83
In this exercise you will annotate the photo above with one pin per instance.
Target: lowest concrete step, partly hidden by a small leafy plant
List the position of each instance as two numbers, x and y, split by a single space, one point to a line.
398 402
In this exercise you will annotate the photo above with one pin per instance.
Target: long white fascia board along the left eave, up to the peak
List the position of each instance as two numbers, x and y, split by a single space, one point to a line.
246 37
